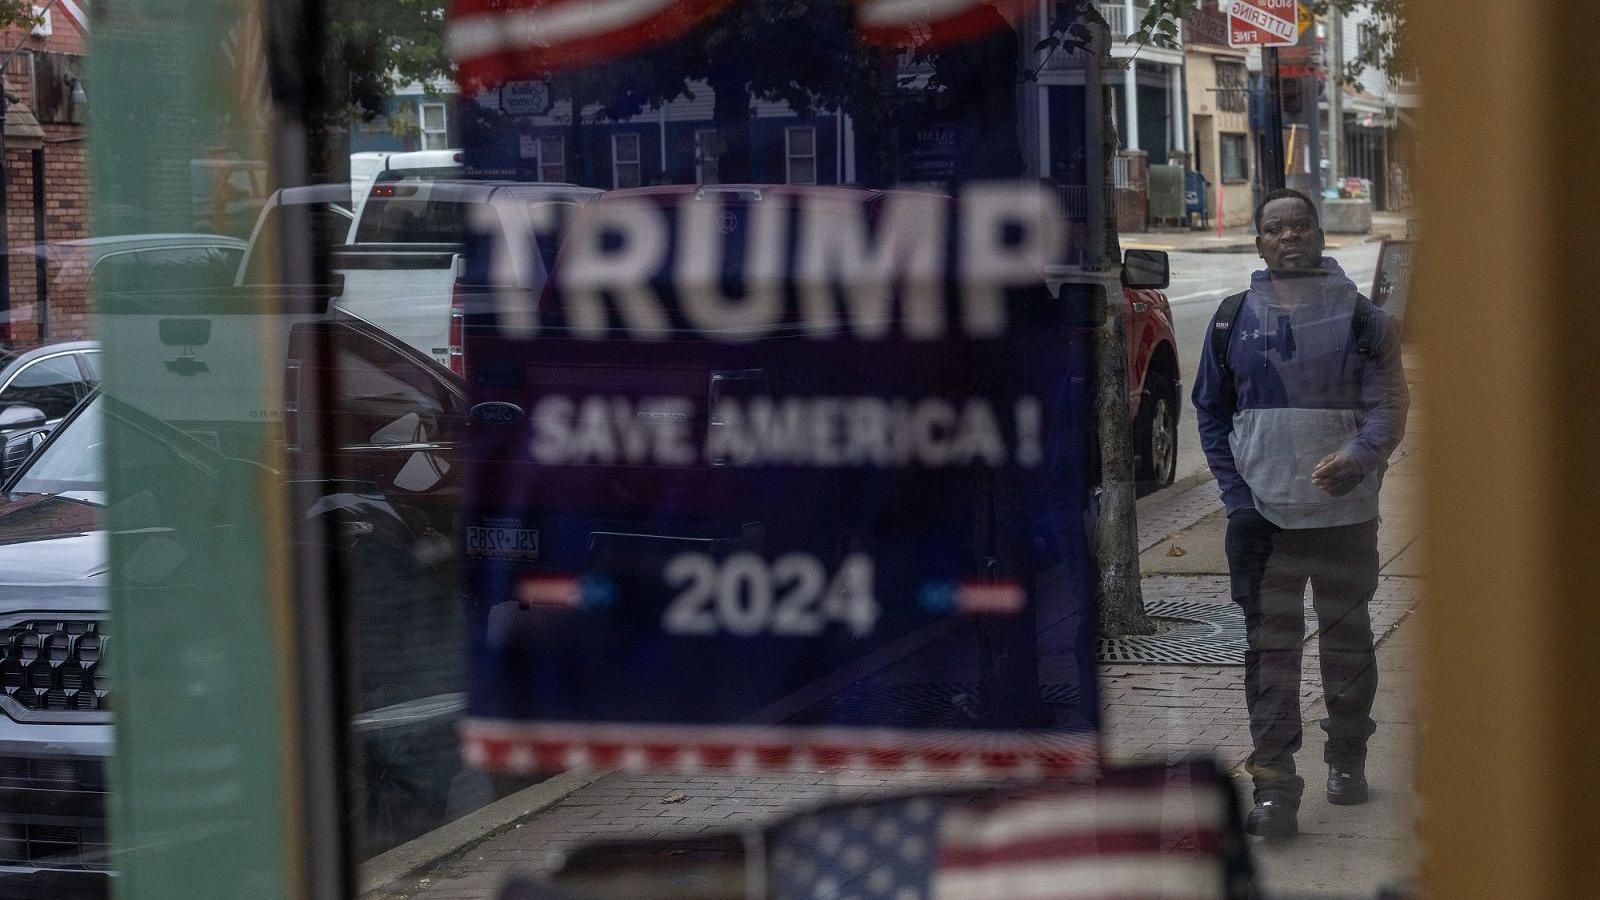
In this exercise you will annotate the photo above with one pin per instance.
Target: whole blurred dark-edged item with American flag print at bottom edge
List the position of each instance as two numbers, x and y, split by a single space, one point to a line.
1150 832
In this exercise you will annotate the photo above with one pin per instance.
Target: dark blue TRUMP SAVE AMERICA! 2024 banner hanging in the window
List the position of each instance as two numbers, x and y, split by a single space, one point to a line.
775 462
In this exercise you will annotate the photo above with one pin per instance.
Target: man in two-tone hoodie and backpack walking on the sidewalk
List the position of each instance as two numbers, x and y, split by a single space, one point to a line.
1302 400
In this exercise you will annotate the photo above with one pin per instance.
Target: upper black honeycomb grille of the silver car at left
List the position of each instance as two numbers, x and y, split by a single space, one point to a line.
55 665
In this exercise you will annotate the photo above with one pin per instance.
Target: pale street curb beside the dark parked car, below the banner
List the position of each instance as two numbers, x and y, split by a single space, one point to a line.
386 870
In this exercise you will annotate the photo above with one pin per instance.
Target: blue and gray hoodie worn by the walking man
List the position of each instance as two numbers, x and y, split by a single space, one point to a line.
1297 390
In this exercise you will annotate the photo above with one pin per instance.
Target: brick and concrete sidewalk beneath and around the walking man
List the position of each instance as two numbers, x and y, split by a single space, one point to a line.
1150 712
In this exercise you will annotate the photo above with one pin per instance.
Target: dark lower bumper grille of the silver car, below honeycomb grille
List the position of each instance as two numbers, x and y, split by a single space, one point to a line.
54 813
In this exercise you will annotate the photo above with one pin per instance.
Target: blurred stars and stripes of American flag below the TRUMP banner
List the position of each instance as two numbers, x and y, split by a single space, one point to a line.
1148 832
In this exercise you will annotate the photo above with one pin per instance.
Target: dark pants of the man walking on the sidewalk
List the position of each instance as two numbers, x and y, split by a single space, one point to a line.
1270 571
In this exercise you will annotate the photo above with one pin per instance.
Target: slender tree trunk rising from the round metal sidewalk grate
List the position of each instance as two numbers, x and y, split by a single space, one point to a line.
1118 531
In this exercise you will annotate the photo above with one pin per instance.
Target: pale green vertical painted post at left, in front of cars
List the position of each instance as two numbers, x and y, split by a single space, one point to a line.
207 773
